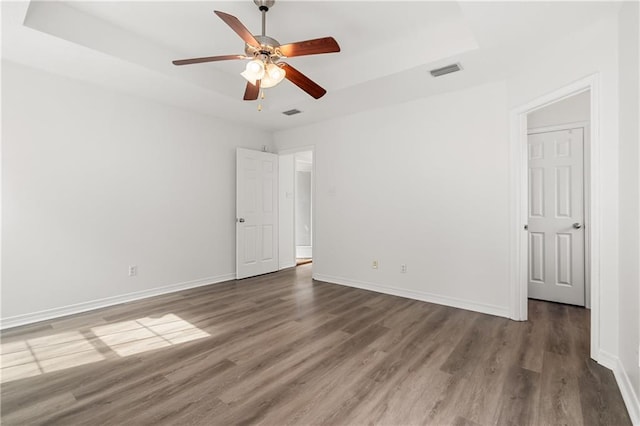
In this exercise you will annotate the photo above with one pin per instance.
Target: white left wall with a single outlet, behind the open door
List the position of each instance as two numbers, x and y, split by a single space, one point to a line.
94 181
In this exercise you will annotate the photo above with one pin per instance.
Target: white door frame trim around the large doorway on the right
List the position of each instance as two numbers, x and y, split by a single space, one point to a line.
518 261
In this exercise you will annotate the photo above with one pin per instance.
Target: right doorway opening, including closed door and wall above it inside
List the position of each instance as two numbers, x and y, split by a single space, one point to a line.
557 147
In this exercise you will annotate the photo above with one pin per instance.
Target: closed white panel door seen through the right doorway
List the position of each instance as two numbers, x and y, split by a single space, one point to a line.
556 216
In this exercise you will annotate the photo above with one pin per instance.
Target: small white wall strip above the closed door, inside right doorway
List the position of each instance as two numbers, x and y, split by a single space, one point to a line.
571 110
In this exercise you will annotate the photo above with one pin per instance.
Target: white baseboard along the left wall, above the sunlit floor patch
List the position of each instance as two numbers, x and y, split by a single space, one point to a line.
77 308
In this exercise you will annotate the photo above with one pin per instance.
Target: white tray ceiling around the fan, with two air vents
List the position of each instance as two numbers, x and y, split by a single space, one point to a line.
387 48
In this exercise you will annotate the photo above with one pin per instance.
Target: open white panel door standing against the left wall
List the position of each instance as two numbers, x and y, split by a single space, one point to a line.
256 213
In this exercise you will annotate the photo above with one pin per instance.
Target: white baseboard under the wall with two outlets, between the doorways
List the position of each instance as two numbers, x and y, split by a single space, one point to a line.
419 295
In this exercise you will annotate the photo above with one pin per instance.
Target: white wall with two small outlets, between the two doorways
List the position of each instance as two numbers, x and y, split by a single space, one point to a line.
423 184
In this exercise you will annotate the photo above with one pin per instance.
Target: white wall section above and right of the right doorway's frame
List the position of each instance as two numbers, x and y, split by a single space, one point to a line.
593 50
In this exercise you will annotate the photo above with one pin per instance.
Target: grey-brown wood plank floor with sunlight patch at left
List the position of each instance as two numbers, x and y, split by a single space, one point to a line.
283 349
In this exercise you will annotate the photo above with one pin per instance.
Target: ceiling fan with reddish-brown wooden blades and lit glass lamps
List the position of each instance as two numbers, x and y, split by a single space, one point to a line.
266 68
